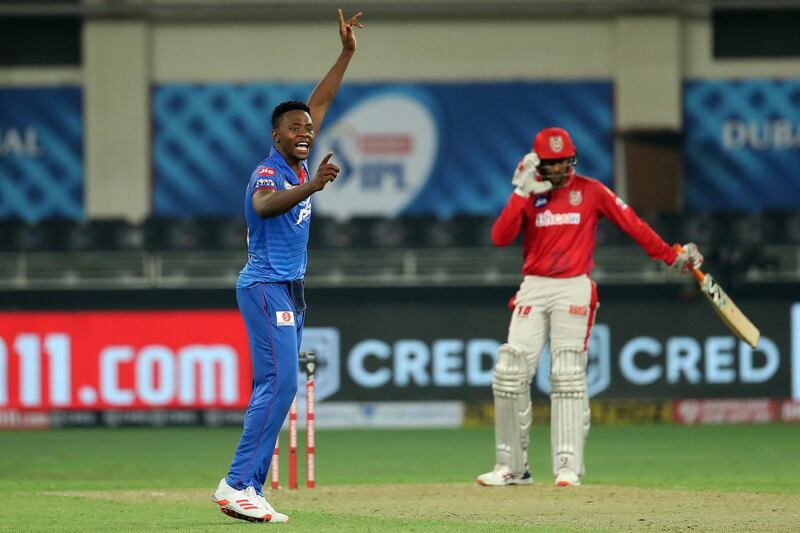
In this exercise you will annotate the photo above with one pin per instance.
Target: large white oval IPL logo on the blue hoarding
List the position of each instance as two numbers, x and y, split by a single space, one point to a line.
386 148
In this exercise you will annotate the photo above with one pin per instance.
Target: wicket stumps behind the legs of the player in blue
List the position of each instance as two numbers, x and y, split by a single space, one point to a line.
308 363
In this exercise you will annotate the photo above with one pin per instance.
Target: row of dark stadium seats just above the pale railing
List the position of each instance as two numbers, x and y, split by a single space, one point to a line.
223 233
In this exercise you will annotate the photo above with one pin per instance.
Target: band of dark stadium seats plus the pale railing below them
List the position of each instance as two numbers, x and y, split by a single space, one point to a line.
211 250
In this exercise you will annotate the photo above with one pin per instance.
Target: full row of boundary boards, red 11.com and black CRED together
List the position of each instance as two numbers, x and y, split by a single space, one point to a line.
411 351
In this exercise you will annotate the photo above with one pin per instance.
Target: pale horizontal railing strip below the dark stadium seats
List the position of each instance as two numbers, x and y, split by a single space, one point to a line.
342 268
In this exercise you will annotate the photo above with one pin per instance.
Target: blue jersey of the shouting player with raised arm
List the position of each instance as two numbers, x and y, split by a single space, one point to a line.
277 247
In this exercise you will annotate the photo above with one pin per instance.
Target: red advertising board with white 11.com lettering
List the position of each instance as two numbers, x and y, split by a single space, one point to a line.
124 360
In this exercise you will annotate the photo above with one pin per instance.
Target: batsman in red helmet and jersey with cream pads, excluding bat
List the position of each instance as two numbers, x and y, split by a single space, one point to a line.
558 210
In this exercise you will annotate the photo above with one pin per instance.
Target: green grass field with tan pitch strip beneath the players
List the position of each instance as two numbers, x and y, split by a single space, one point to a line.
649 477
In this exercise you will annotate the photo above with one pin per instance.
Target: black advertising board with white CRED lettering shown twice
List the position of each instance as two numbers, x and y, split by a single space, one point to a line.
663 348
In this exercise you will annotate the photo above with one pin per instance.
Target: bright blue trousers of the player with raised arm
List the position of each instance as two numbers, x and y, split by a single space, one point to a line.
273 315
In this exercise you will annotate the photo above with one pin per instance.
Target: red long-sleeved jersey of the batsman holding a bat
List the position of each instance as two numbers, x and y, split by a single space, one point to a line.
560 228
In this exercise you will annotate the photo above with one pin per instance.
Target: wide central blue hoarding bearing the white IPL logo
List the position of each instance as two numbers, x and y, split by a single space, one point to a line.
439 149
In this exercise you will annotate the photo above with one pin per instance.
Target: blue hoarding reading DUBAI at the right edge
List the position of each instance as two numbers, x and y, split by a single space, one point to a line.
742 144
